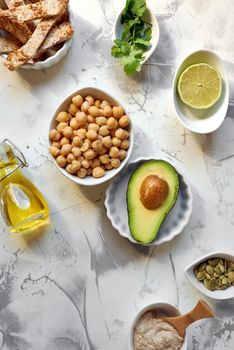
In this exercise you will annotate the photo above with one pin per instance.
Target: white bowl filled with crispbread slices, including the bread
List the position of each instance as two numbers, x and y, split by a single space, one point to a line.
34 34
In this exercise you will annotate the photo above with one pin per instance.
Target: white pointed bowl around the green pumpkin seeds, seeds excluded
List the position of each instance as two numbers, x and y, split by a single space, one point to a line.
217 294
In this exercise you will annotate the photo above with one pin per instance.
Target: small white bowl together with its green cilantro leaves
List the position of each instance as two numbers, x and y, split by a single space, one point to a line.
136 35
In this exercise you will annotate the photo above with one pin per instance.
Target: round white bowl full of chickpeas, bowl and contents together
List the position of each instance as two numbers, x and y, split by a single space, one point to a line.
90 137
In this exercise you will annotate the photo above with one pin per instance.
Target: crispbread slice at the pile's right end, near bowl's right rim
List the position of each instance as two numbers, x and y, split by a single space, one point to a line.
58 35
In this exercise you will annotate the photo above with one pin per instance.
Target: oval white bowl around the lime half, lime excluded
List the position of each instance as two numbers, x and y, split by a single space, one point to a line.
206 120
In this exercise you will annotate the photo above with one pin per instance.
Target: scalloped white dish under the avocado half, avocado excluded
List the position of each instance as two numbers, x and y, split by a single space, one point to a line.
116 207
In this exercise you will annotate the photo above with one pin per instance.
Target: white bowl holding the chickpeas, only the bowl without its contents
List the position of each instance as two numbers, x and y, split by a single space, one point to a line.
99 94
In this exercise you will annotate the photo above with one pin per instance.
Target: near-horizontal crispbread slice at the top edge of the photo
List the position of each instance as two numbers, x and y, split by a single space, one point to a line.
42 9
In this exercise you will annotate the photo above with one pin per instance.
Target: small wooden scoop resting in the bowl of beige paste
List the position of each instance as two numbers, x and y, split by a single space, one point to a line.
180 323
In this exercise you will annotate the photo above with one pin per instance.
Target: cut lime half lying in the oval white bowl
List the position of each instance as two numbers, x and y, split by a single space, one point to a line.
200 86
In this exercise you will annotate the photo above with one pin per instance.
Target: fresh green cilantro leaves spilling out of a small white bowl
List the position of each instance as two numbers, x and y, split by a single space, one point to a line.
135 39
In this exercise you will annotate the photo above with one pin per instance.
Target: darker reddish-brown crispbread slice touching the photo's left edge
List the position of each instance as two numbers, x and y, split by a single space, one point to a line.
10 24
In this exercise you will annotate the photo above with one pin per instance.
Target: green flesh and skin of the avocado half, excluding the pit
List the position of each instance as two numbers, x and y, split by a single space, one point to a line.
144 224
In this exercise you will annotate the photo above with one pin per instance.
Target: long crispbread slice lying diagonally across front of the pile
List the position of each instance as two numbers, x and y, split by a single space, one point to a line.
29 50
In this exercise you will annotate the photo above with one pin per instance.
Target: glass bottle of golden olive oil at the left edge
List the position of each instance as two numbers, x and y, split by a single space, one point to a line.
23 206
